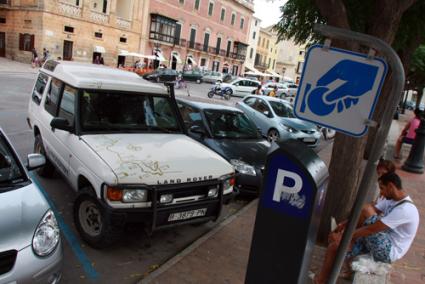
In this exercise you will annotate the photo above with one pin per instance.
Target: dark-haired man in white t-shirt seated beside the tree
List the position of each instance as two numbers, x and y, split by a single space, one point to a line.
387 238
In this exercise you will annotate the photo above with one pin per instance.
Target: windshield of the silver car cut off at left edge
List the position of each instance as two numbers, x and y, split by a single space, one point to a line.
10 171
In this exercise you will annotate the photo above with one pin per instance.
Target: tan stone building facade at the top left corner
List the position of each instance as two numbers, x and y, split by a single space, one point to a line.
76 30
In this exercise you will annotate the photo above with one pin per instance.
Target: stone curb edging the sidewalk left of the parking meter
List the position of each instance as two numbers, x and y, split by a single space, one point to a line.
169 263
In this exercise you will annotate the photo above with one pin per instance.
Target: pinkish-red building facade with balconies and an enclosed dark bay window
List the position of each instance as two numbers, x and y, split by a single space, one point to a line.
209 34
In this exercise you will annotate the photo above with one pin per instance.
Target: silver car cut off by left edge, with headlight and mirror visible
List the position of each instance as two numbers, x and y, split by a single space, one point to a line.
30 243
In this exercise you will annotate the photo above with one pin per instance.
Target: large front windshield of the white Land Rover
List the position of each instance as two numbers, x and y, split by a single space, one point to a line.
113 111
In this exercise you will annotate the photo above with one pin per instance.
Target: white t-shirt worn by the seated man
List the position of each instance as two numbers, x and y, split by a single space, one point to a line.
403 221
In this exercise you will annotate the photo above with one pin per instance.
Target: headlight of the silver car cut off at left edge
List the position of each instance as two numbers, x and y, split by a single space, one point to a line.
46 236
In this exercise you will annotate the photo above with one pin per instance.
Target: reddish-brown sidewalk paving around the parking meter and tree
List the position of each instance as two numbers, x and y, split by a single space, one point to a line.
221 256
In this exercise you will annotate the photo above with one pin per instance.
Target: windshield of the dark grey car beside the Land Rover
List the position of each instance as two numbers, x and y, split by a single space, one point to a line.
230 124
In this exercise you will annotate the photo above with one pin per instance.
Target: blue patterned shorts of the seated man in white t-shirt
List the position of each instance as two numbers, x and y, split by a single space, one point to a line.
378 245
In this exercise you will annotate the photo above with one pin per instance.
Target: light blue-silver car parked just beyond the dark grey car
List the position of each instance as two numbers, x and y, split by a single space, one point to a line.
275 118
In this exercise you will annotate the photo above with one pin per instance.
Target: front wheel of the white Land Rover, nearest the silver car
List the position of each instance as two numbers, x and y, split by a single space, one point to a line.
93 222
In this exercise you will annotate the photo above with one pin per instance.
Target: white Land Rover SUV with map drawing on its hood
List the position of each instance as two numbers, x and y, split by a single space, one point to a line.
120 143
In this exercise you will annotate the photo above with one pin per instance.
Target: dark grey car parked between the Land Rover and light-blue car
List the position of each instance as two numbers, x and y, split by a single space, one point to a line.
230 133
